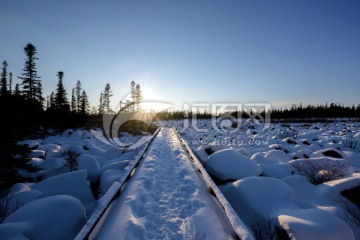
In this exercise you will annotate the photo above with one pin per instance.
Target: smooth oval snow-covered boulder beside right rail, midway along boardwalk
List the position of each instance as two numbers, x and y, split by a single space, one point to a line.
229 164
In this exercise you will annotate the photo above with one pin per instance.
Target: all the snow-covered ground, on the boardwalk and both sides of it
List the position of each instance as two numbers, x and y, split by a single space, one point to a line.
284 178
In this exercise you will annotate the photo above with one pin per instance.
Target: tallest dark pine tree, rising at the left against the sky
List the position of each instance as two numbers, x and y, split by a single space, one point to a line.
32 88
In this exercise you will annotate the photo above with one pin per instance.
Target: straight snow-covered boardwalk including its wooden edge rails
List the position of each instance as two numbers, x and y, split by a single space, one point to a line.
165 198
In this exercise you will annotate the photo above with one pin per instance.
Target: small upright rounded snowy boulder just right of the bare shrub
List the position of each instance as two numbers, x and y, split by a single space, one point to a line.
90 164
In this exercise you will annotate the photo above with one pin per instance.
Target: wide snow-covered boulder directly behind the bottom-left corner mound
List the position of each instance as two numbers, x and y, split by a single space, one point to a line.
74 184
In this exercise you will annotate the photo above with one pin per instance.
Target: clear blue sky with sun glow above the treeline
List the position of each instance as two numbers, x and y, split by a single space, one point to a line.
186 51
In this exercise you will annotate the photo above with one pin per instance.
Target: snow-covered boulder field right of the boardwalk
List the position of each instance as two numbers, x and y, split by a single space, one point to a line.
284 177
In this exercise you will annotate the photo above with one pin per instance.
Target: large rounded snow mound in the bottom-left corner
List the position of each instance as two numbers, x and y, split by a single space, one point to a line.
41 220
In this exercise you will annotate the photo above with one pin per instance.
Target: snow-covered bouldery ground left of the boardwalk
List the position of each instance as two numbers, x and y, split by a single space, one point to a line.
58 206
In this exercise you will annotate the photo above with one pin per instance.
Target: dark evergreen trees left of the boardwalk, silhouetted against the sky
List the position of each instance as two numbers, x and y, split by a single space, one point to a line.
26 113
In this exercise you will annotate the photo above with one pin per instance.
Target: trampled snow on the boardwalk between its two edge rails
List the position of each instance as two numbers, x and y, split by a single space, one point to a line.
165 199
